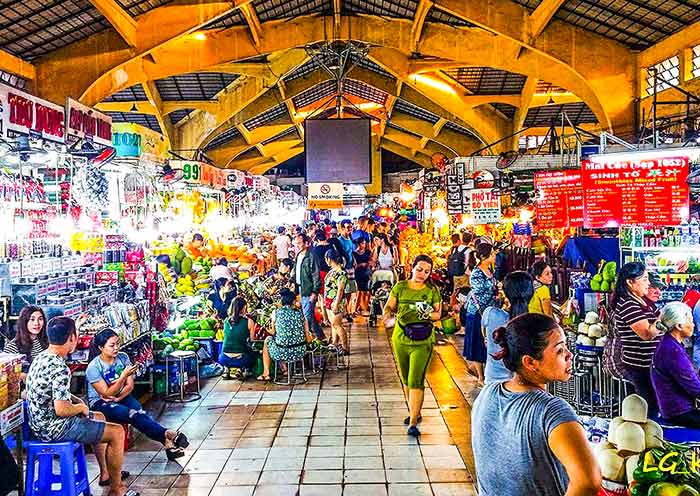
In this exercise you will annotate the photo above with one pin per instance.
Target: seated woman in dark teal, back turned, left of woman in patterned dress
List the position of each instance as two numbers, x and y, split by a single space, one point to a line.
238 329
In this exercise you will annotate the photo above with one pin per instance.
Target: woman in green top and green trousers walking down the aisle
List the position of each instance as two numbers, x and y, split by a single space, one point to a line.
416 303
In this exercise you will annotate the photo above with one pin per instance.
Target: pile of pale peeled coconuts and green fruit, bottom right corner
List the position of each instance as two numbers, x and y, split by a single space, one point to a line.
636 454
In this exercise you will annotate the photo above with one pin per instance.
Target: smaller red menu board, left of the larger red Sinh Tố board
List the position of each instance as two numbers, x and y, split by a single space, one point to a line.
559 199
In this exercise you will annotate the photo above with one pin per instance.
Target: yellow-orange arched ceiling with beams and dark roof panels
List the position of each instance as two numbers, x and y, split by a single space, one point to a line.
232 78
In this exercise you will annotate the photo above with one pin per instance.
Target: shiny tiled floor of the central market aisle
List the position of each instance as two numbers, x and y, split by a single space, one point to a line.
340 434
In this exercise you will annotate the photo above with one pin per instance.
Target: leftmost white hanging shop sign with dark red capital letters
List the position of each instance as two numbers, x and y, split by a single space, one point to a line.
21 113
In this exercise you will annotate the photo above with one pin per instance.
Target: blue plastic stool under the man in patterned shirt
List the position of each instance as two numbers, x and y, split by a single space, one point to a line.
72 477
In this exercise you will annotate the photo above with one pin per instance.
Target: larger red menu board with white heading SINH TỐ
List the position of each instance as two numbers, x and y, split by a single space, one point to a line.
647 190
